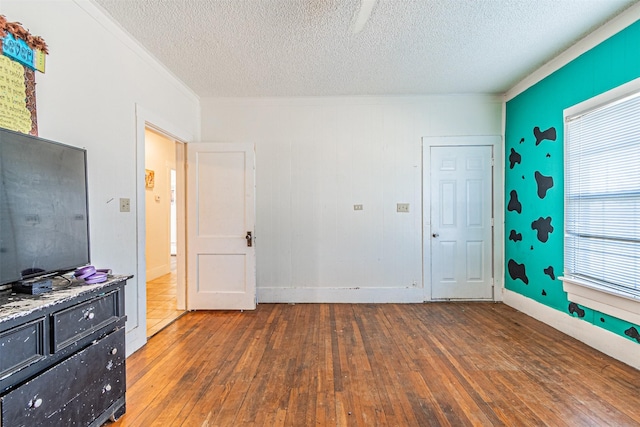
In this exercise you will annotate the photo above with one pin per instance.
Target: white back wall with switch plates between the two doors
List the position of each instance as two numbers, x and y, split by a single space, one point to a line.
315 159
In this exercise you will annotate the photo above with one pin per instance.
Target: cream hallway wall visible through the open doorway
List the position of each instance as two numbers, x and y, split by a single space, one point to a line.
160 157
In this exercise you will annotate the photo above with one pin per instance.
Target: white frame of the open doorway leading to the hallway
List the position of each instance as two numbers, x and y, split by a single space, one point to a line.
136 330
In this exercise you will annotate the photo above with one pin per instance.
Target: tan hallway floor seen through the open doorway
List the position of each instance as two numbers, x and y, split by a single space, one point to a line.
162 302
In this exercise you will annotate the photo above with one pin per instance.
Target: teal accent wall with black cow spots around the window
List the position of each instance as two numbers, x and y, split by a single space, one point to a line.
534 253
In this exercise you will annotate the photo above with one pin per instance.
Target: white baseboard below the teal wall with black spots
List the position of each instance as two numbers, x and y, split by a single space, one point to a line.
607 342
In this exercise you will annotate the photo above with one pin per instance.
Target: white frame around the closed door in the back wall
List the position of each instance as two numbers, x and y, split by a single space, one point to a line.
497 205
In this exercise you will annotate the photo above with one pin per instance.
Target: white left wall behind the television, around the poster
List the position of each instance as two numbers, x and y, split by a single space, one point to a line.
95 82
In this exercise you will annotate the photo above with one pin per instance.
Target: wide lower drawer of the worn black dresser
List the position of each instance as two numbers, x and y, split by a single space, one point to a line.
36 401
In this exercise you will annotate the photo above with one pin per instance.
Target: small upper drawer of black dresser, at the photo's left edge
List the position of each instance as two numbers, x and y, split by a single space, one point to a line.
22 346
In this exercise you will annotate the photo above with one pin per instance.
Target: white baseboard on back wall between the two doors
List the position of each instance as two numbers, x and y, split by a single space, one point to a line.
340 295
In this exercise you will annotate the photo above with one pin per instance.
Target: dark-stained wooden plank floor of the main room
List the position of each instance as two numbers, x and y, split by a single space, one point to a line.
437 364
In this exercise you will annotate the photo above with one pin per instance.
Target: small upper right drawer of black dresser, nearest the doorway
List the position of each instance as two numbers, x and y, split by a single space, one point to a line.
74 323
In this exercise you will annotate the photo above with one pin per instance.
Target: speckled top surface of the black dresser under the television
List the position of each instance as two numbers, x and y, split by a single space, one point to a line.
14 305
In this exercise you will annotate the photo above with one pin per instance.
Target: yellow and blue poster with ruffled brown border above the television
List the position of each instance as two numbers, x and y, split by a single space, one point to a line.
22 55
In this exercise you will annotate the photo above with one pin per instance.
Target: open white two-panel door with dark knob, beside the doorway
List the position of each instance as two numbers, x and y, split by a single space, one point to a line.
221 271
